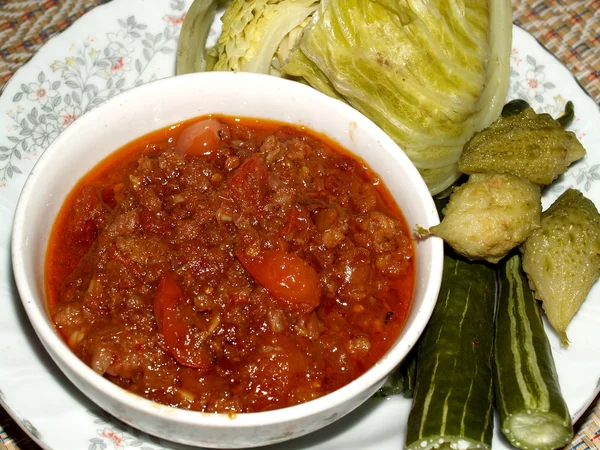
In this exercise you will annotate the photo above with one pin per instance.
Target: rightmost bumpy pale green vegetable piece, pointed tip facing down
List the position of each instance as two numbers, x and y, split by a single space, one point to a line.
562 257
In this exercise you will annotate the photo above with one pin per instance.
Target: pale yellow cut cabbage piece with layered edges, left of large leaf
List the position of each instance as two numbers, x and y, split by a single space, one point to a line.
258 35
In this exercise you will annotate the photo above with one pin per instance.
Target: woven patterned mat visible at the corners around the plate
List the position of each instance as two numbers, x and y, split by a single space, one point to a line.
568 28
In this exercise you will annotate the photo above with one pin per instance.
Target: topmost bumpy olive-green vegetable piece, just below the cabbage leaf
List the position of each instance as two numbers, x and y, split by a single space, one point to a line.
530 145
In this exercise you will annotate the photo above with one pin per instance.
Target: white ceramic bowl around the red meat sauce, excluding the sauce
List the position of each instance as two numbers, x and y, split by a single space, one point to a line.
165 102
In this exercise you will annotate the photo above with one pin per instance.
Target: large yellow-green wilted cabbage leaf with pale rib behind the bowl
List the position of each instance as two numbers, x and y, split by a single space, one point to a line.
428 73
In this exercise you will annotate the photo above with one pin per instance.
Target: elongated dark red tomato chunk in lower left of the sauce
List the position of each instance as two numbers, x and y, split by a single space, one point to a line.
181 342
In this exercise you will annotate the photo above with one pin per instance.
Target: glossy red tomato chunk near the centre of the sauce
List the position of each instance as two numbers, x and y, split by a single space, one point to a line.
287 277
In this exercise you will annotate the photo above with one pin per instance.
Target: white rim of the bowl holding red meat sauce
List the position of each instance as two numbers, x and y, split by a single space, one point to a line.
58 349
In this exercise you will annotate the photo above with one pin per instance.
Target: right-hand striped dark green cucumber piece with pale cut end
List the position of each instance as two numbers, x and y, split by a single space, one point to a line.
533 413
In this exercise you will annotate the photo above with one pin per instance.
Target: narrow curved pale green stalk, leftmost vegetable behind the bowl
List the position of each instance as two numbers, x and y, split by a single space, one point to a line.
191 47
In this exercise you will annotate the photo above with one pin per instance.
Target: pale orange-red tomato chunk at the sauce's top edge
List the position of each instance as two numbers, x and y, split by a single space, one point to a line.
200 139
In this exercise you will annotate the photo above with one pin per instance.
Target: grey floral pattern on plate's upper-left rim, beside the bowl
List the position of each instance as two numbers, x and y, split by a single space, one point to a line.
81 80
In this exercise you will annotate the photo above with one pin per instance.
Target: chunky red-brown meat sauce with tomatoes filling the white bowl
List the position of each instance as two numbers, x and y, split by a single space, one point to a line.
230 265
